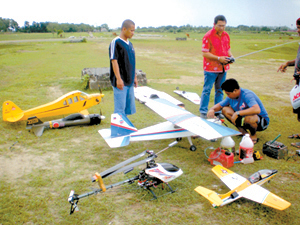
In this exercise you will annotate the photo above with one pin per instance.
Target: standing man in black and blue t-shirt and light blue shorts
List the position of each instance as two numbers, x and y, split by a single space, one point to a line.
122 69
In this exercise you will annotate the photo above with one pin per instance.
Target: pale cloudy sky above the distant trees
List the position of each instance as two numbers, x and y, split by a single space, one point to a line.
154 13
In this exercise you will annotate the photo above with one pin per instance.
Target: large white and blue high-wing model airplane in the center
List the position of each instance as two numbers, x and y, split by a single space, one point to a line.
181 123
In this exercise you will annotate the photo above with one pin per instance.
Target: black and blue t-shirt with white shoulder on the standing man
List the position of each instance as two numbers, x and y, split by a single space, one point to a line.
124 53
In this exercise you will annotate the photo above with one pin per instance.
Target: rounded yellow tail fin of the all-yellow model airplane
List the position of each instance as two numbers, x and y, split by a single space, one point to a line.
11 112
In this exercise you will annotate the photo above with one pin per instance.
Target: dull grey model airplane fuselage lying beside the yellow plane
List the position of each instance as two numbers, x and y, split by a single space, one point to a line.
77 119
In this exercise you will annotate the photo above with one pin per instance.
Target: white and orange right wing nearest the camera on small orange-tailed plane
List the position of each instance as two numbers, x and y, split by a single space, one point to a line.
259 194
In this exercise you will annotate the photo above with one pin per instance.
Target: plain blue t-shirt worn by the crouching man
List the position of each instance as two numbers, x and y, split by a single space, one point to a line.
246 100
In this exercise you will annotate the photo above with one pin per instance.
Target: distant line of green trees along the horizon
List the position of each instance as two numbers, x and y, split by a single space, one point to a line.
54 27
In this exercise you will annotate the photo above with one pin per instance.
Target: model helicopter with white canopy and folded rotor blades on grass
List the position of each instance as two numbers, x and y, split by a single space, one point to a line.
150 177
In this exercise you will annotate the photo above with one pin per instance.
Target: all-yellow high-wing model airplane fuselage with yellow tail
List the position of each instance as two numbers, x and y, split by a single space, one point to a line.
72 102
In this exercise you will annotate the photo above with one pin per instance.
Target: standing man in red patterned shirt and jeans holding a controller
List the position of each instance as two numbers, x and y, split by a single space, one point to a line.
216 53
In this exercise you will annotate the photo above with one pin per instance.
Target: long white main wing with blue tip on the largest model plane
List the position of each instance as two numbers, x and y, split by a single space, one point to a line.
189 121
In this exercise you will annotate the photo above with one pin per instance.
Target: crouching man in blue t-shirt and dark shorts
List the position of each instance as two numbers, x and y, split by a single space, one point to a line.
242 108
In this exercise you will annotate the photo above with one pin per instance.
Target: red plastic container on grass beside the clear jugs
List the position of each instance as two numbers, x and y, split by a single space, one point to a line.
221 157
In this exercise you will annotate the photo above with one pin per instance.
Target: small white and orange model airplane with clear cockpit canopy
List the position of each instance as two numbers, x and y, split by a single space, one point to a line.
241 187
